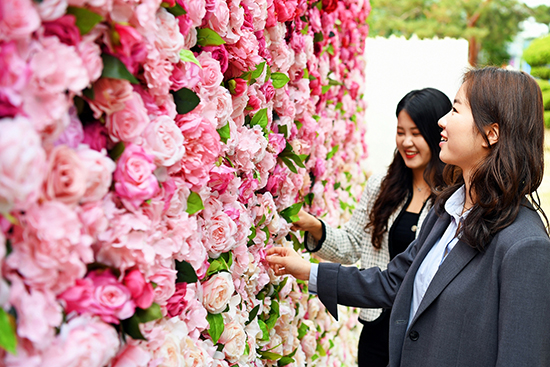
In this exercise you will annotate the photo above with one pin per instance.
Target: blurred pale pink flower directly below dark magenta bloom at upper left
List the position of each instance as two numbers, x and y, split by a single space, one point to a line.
49 76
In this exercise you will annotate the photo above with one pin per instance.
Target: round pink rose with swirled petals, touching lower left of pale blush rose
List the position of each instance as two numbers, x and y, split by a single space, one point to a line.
134 179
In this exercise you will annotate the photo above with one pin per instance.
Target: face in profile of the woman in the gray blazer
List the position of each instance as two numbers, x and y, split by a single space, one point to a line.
461 143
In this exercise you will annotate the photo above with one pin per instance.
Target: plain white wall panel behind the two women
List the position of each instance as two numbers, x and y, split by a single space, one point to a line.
395 66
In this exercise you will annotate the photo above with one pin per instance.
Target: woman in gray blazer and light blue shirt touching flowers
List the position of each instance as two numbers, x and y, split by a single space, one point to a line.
474 288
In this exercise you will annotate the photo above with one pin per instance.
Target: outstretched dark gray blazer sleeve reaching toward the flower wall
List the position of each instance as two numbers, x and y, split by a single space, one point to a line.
365 288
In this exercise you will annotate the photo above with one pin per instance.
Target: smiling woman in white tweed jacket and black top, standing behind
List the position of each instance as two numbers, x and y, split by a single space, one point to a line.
391 210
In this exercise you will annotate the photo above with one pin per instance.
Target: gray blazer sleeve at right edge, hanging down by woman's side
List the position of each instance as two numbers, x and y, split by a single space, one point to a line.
524 309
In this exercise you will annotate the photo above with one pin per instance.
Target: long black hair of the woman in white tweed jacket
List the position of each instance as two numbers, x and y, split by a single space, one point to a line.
425 107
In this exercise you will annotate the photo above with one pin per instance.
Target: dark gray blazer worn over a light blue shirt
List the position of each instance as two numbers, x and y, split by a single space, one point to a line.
481 309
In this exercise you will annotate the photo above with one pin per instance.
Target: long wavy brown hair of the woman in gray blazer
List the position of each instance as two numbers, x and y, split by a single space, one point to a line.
514 166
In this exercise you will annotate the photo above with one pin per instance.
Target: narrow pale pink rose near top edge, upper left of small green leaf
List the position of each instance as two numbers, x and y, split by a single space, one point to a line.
168 39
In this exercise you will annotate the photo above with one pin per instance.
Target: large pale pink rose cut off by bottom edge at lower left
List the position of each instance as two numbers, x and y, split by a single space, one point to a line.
83 341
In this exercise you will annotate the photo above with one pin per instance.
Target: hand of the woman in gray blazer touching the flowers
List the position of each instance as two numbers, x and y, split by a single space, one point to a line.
284 260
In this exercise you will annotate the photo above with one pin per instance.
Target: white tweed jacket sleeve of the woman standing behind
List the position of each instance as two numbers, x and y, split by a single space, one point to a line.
345 245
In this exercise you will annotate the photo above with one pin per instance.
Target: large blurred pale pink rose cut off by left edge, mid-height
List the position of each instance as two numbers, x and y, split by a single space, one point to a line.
22 164
